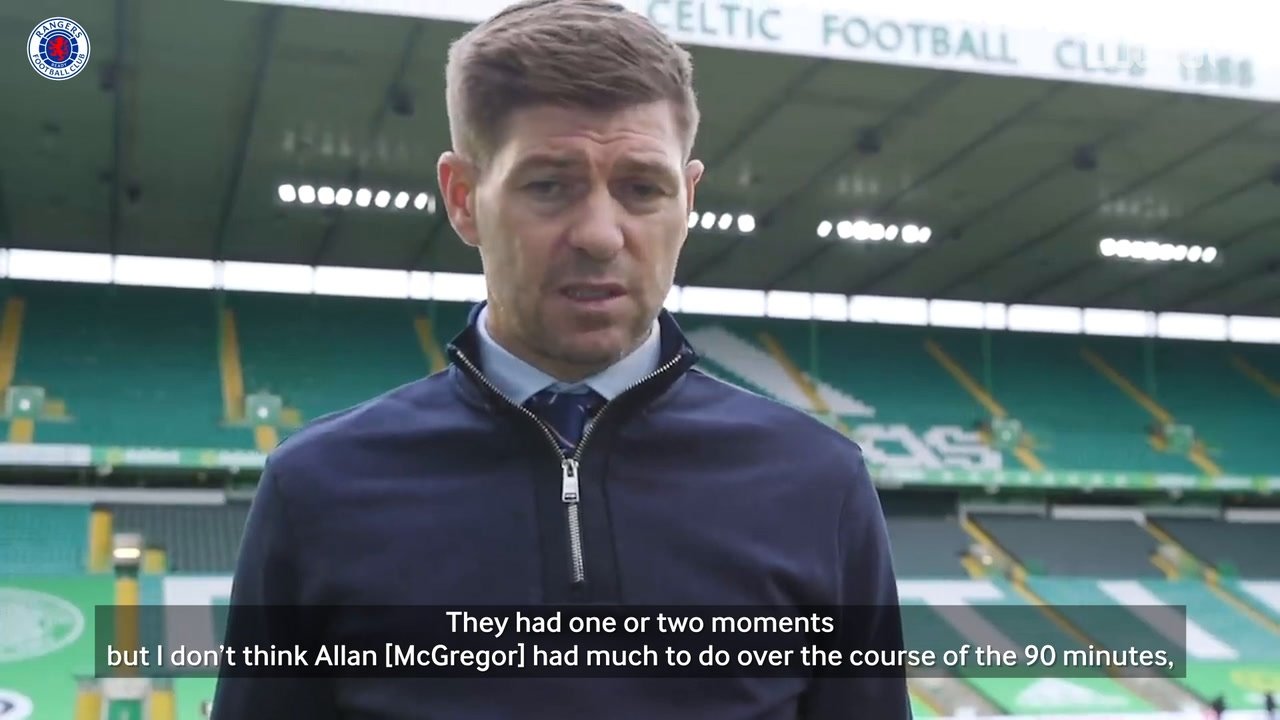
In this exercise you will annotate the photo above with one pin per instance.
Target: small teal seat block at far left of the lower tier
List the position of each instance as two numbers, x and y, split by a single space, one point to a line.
44 540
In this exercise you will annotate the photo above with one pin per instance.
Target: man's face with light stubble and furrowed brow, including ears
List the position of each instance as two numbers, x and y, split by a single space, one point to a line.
579 220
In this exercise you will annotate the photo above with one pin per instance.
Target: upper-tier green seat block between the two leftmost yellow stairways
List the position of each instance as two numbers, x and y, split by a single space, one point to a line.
120 361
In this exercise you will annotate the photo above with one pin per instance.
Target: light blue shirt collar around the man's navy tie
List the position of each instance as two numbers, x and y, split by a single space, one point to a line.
520 381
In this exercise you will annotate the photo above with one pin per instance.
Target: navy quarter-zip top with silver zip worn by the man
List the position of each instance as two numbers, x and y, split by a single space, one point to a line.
689 491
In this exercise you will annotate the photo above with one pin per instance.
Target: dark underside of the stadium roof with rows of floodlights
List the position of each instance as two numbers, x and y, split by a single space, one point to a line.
191 116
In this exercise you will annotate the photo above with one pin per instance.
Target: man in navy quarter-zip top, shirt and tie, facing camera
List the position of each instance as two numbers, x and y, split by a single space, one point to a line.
570 454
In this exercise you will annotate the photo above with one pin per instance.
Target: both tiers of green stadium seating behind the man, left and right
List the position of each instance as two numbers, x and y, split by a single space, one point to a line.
116 362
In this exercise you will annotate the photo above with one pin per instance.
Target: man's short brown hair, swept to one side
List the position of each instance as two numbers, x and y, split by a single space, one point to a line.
592 54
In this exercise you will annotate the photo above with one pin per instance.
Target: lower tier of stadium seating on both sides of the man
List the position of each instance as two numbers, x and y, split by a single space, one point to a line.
1110 599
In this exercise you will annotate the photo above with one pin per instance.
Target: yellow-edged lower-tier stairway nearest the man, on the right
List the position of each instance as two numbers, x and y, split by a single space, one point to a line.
1159 692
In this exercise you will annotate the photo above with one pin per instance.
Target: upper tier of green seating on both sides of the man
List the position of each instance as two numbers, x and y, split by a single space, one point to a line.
115 362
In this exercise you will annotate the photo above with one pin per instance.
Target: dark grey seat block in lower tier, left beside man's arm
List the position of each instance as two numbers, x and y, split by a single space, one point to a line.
196 539
